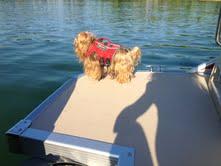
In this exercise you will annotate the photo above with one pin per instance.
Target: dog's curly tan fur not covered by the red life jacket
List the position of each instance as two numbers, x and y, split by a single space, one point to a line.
122 65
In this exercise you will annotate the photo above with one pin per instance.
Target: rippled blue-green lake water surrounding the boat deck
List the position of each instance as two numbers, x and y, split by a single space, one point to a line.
36 54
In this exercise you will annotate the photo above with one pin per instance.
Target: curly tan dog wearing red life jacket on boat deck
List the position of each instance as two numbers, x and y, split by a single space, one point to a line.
101 57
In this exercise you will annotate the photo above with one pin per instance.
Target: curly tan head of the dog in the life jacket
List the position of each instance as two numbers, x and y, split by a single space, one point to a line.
81 44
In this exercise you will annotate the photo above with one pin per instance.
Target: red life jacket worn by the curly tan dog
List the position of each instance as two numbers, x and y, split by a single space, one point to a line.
103 48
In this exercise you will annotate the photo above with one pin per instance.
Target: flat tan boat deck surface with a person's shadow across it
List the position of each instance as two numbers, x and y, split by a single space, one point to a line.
168 118
